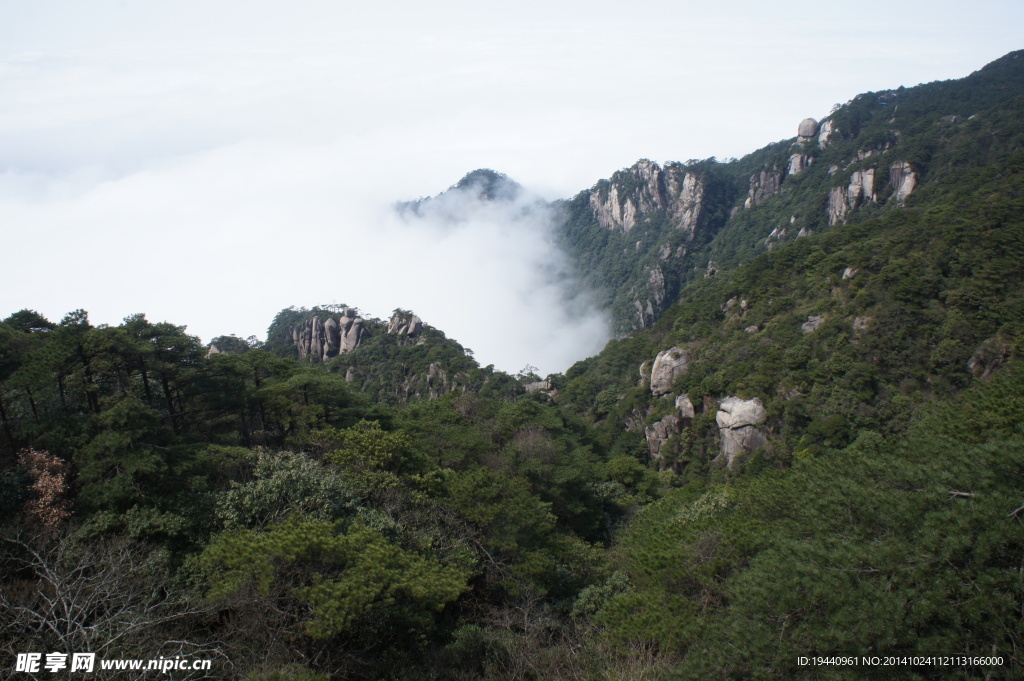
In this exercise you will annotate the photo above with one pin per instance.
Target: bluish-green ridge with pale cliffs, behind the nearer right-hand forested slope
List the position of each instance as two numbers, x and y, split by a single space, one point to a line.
642 236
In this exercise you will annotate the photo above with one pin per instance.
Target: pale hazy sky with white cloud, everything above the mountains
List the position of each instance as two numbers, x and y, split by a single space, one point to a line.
211 163
